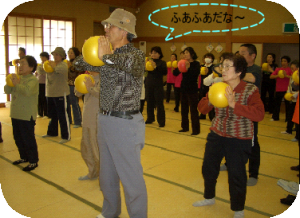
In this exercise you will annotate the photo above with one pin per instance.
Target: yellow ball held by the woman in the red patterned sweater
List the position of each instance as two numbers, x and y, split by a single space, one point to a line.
217 96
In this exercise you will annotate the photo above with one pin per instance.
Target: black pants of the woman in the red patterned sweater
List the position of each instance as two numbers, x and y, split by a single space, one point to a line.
236 152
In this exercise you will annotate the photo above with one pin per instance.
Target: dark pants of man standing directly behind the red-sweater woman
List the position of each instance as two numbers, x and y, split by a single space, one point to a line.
254 158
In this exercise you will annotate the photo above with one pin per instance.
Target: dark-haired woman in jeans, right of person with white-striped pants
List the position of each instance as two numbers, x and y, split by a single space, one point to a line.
72 74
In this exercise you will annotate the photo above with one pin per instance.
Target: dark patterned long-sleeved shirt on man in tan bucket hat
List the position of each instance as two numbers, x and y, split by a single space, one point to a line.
121 78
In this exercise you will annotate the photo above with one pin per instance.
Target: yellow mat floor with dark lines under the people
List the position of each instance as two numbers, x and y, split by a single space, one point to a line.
172 164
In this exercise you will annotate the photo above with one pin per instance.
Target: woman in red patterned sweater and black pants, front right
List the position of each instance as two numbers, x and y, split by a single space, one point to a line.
231 135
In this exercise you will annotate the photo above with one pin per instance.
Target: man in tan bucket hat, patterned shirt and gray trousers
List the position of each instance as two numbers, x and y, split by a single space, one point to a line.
121 127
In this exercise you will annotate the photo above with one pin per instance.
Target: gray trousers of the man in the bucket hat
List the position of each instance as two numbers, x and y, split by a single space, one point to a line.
120 142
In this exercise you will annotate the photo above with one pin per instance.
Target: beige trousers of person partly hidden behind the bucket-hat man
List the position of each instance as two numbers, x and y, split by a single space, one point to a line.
90 151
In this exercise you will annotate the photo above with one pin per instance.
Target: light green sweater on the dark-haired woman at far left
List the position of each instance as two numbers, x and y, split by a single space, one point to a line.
24 98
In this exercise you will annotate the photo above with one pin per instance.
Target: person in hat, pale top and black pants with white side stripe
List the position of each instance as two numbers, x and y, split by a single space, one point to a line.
57 93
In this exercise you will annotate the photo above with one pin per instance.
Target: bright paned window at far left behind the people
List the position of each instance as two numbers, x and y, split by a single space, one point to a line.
35 35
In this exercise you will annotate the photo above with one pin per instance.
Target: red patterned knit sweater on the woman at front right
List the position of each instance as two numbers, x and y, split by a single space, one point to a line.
237 122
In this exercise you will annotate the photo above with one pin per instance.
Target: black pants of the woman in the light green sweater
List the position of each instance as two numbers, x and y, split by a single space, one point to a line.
23 131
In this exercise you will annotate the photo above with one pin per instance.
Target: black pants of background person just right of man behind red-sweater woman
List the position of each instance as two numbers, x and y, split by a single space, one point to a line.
268 87
